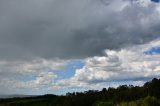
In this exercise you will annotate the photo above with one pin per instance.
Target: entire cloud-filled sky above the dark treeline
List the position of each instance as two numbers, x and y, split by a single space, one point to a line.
60 46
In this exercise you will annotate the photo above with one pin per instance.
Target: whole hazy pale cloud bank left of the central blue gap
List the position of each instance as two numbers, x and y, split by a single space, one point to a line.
32 75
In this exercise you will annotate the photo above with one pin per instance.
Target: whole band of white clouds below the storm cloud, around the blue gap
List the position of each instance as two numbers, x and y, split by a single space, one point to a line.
125 66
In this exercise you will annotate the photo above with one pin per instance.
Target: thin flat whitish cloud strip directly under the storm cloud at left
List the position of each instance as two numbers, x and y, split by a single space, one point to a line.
35 66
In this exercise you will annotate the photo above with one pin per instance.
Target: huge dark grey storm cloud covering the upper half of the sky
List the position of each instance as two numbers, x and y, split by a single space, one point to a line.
72 28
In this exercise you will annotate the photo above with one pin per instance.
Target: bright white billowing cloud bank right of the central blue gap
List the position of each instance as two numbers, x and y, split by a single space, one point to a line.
128 64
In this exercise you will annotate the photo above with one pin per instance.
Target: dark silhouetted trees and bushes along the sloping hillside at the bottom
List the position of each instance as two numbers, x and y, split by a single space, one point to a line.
147 95
